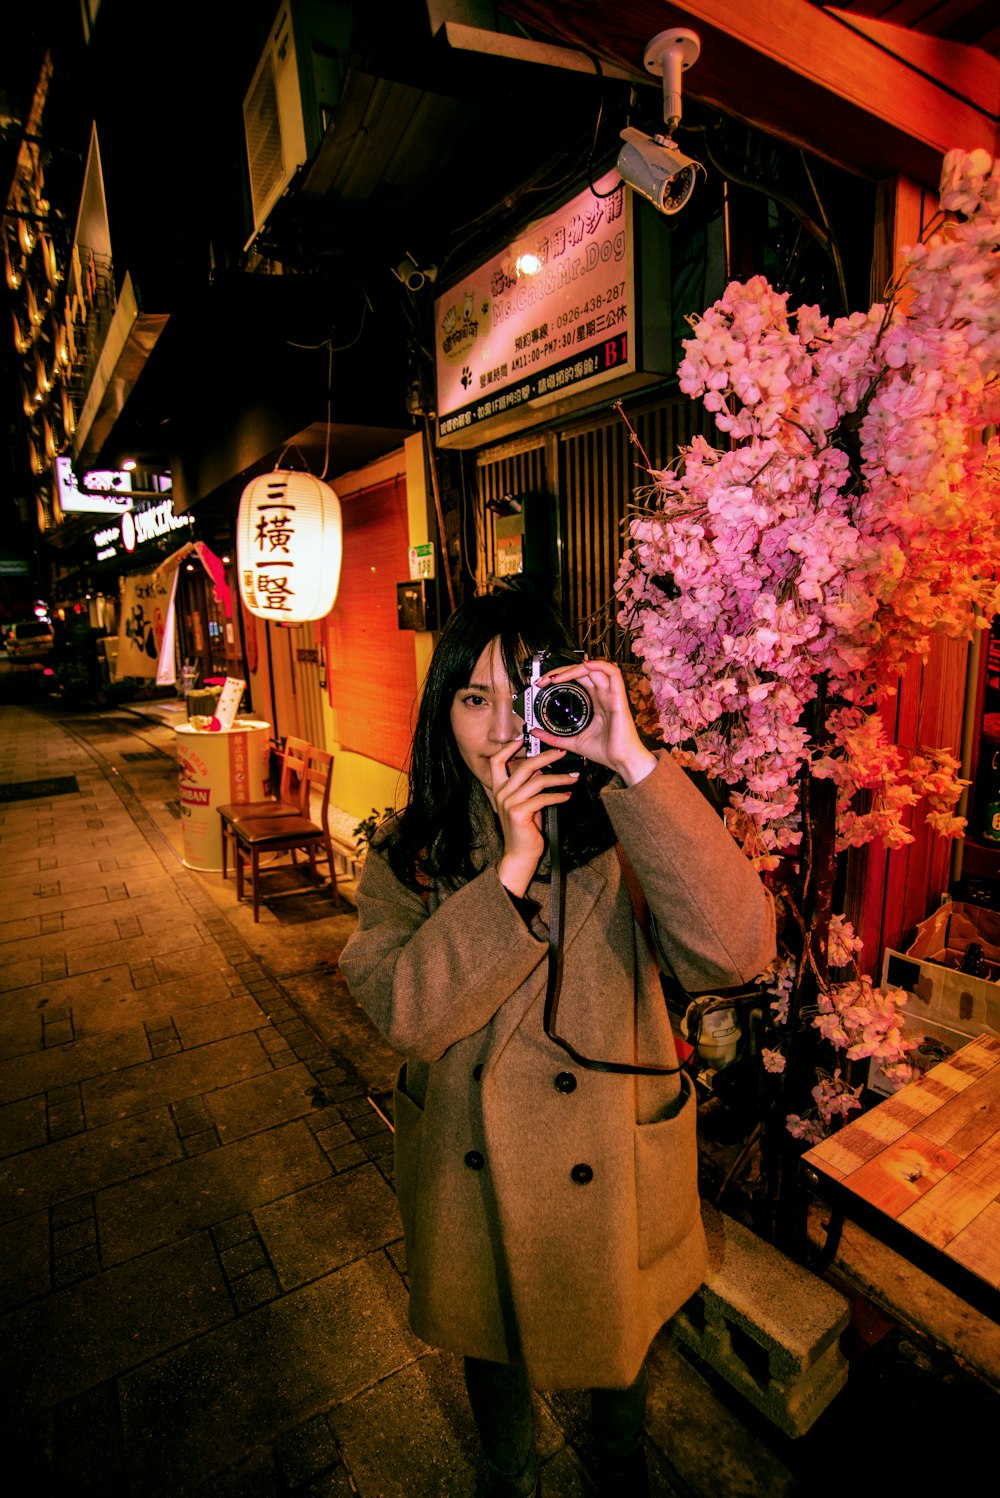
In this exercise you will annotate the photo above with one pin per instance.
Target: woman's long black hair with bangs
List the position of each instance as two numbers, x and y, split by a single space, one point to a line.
436 831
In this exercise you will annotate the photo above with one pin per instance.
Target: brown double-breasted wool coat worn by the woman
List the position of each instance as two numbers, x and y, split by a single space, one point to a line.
552 1213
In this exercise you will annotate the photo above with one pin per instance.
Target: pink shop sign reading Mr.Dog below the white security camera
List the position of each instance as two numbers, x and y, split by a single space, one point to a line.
553 318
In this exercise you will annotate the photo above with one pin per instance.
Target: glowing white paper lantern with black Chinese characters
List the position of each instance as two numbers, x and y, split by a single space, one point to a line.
290 543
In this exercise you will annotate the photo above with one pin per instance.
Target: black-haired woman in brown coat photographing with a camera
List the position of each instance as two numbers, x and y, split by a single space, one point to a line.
550 1210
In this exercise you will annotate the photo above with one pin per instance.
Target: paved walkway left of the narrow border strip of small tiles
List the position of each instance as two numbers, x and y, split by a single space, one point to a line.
200 1250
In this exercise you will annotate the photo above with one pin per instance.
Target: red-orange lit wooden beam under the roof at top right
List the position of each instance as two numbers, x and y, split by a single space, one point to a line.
803 74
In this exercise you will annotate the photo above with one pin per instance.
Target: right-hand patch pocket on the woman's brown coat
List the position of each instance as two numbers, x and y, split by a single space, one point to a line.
667 1180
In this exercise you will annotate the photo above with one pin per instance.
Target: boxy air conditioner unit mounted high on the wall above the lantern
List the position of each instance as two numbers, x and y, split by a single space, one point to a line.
291 100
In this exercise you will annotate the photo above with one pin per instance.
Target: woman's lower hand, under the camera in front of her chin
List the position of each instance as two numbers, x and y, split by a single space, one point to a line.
522 790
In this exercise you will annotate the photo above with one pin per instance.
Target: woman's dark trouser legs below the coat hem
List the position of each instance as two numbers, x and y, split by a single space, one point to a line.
501 1400
